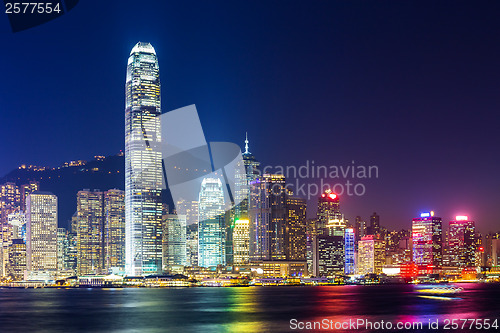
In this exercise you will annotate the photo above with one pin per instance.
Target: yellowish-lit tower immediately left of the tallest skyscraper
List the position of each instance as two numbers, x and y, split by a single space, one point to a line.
114 230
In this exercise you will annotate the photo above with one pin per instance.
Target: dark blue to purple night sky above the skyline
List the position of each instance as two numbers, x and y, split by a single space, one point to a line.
409 86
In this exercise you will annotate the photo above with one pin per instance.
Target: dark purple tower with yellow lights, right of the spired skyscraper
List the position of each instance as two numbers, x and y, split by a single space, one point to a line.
267 218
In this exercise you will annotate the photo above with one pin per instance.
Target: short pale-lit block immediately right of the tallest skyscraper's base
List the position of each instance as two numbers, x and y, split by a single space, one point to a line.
174 241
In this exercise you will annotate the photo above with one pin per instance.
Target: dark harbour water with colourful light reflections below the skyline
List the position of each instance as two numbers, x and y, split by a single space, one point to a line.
252 309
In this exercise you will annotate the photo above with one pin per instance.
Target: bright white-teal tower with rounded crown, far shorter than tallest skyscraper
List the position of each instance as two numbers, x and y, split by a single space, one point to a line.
211 226
